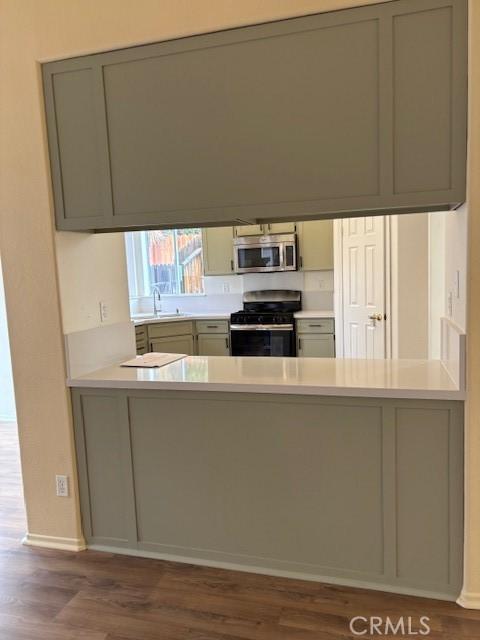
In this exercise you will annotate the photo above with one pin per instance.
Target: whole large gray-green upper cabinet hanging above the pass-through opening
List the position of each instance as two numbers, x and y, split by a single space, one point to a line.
341 113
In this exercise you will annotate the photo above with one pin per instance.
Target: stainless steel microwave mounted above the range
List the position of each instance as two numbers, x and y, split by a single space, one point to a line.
258 254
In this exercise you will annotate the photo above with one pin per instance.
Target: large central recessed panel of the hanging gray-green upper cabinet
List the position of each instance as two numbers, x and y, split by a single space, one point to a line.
154 104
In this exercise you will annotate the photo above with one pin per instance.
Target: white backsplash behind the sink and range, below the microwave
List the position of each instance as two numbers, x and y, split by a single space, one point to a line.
223 294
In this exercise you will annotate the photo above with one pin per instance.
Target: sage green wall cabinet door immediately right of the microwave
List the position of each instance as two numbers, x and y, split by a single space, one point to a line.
316 245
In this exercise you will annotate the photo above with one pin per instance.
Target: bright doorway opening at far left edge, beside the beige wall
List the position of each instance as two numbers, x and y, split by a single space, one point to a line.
12 508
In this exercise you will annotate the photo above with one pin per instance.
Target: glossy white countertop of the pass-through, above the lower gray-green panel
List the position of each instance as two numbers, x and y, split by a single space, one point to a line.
424 379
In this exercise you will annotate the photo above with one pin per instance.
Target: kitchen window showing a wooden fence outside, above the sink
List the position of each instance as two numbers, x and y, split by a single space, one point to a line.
169 259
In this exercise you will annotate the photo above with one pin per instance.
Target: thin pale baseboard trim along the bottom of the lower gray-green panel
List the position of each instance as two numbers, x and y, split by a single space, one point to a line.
278 573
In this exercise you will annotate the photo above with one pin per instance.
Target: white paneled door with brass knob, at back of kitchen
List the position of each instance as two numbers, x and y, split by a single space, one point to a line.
363 268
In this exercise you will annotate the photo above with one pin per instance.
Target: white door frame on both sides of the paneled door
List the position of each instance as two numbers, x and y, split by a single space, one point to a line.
338 296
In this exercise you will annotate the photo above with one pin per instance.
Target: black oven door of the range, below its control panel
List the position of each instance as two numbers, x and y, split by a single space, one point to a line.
263 340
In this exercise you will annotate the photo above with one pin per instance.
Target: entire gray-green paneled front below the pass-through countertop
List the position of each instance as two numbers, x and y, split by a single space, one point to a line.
359 491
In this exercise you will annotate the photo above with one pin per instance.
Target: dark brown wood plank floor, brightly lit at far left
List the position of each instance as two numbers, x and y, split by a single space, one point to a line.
50 595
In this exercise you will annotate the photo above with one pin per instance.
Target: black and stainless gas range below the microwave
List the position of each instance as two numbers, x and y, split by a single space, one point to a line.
265 326
